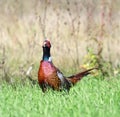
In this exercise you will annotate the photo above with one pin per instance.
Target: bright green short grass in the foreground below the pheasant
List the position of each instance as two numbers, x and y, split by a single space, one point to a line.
89 98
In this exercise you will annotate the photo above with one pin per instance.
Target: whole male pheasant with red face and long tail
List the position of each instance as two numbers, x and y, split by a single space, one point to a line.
51 76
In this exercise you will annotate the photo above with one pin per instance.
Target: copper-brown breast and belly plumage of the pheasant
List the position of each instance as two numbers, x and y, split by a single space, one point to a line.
47 76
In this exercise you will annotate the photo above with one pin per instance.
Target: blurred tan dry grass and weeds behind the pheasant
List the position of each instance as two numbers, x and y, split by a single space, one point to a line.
83 34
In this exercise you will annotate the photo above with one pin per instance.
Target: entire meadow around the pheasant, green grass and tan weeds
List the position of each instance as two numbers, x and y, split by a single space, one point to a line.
79 31
